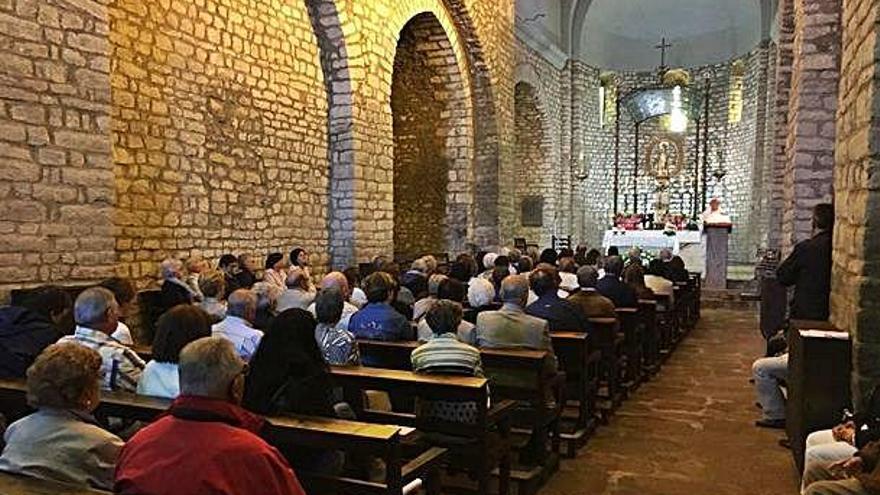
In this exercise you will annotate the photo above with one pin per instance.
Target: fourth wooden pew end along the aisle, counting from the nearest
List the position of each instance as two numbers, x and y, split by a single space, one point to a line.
579 358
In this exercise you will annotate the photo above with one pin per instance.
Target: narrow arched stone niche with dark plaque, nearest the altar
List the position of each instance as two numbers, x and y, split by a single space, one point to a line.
533 169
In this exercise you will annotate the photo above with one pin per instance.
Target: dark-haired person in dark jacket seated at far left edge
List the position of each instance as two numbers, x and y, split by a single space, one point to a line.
43 317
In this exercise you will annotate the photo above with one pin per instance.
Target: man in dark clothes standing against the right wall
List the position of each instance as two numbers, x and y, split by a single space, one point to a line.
808 269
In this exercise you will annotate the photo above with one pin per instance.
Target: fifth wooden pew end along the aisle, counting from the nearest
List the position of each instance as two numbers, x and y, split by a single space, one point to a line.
610 345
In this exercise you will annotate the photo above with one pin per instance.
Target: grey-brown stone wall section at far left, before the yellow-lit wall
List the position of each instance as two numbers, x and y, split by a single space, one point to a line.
56 177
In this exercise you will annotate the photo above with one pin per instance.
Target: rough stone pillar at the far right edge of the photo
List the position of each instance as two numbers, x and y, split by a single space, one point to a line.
855 293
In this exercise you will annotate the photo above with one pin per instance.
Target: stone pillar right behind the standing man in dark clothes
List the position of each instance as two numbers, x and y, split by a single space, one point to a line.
809 151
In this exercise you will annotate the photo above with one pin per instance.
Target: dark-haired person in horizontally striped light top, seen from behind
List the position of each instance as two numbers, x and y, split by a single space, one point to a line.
445 353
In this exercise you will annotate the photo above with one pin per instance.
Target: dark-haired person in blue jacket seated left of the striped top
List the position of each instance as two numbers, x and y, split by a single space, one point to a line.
379 320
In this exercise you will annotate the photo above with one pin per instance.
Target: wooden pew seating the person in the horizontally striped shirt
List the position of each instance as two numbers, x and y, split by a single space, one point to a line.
477 453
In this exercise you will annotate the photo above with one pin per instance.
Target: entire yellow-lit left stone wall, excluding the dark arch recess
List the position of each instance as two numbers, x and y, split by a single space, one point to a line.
135 131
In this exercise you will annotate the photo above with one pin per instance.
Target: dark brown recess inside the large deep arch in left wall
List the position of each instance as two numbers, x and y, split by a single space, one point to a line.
433 151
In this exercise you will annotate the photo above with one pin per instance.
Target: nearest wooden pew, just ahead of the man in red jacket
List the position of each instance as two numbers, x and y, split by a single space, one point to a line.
383 441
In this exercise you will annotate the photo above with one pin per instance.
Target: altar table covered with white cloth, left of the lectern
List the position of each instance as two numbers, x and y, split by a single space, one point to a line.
689 244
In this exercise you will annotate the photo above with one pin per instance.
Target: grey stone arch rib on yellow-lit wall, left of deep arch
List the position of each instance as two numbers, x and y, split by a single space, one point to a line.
326 23
